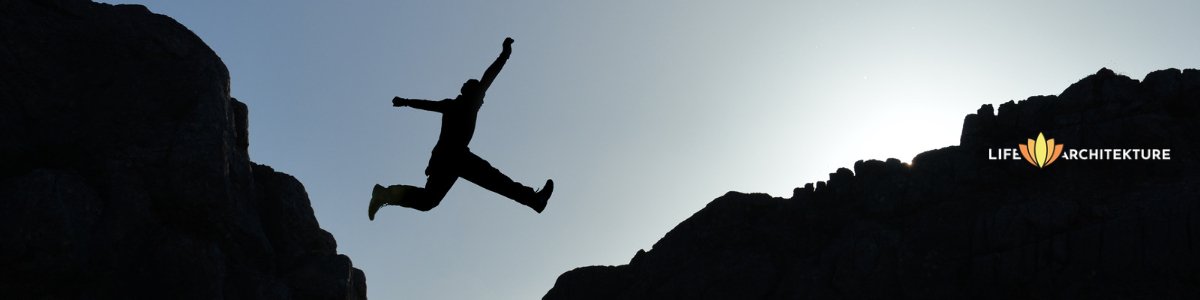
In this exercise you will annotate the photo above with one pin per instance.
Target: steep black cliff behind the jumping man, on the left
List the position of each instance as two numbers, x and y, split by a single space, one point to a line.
124 172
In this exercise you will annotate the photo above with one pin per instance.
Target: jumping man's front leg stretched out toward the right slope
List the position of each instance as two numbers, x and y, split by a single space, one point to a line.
479 172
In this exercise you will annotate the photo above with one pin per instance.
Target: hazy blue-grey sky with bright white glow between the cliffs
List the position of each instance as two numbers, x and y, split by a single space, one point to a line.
643 112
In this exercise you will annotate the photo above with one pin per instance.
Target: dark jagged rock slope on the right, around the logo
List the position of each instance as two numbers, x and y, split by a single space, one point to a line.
956 225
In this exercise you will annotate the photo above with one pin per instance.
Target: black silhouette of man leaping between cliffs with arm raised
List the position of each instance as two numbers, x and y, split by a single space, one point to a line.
452 158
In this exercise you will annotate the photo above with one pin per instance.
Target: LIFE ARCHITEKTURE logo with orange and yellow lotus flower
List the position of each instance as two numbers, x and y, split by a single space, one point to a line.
1042 153
